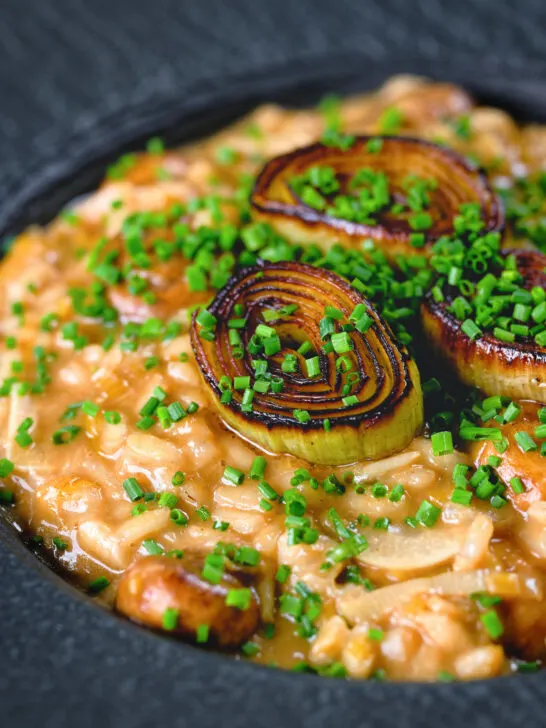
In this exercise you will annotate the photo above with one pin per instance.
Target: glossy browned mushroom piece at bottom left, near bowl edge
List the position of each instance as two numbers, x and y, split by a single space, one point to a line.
155 584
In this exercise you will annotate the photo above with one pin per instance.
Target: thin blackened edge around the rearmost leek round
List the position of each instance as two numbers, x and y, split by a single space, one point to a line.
314 218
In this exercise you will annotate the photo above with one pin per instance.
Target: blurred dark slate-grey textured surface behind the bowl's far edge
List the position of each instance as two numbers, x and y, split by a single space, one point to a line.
63 63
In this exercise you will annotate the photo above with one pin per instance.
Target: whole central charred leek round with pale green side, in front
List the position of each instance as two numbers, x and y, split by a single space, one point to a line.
386 410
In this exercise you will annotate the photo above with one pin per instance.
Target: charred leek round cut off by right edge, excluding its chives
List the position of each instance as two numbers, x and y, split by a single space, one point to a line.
516 370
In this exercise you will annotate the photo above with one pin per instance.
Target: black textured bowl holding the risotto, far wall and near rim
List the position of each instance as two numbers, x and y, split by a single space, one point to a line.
64 660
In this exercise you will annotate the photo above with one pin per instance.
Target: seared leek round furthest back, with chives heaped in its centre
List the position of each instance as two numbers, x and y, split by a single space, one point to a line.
409 194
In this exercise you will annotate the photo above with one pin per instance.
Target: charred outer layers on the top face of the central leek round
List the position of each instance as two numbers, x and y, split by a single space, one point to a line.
275 415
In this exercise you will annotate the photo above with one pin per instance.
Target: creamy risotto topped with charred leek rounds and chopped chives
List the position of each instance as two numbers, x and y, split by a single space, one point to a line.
292 404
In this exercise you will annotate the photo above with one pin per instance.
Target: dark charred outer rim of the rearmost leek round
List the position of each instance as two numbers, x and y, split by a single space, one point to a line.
450 160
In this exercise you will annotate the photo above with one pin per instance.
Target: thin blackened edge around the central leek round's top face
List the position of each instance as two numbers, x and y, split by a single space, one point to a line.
397 355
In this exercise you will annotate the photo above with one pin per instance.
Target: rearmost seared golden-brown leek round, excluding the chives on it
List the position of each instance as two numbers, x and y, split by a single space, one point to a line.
457 181
